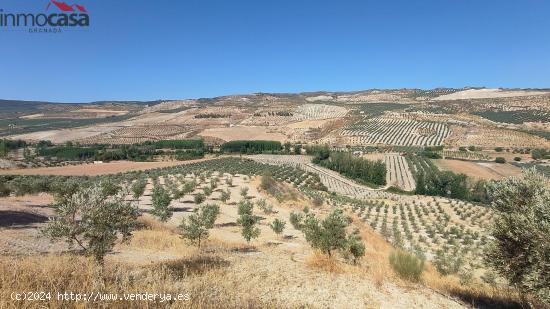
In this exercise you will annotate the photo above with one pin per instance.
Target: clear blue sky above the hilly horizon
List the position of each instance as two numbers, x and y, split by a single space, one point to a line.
143 50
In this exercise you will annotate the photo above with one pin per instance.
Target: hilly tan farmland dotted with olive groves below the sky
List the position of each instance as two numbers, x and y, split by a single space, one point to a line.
399 171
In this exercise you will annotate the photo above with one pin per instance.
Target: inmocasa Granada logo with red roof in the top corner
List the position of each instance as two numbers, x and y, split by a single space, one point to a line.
68 15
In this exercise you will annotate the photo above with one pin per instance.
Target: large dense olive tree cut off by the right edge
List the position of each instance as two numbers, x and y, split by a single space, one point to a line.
519 250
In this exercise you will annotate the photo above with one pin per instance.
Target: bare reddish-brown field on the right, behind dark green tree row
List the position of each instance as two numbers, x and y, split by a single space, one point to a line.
489 170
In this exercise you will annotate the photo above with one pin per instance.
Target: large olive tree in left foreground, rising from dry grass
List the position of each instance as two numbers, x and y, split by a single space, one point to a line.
93 220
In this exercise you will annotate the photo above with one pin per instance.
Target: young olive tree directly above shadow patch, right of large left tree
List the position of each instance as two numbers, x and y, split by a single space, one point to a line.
195 228
